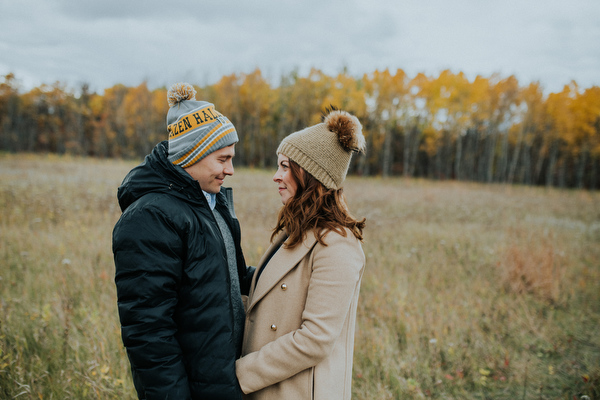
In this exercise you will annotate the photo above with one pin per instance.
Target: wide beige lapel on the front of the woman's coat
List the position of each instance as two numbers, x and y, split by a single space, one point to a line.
279 265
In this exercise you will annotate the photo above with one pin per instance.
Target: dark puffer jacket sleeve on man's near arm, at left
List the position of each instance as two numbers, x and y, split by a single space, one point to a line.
148 259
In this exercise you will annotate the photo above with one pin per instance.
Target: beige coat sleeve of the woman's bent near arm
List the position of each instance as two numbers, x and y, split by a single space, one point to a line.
336 272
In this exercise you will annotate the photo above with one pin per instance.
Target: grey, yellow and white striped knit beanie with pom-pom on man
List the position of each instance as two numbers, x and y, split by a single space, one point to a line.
195 128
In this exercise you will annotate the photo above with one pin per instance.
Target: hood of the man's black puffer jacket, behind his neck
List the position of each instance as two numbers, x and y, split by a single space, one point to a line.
157 175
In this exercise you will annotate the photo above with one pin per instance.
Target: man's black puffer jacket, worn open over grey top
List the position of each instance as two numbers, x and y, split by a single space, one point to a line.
173 284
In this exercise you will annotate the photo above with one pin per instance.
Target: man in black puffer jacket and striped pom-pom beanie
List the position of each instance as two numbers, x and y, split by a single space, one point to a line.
180 271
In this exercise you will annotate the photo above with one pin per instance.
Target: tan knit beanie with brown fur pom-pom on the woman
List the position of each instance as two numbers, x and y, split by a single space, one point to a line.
324 150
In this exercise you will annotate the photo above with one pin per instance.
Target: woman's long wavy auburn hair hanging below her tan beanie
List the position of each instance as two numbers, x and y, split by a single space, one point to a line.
313 206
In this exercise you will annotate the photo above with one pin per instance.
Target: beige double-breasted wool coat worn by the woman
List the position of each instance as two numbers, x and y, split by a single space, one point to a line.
300 321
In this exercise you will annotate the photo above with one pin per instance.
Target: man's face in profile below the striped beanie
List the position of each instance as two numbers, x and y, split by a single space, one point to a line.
210 172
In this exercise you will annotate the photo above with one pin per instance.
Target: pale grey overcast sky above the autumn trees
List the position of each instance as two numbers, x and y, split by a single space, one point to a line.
106 42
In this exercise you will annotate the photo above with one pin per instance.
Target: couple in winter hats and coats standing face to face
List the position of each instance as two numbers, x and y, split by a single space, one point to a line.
198 323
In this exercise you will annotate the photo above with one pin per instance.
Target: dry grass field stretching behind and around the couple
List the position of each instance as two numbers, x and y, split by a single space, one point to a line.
471 291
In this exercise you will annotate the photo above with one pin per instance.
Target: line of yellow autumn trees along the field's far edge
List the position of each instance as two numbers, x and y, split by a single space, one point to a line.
489 129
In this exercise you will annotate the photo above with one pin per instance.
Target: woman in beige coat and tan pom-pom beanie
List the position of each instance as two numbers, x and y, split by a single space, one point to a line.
299 330
